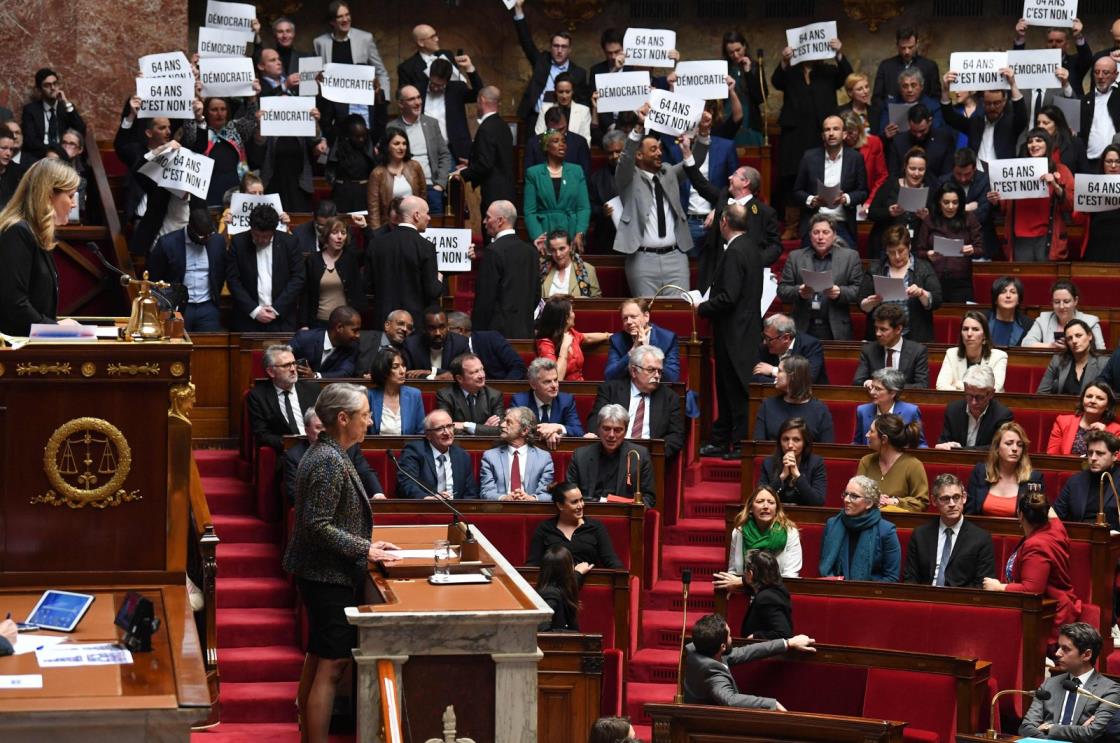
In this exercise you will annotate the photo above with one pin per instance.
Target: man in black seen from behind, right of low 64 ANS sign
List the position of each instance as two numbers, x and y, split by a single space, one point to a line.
509 284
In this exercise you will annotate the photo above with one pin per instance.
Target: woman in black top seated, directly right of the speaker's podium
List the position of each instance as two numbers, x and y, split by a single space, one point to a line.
586 540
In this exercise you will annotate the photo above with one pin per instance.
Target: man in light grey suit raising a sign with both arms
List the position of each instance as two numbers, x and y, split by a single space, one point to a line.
654 231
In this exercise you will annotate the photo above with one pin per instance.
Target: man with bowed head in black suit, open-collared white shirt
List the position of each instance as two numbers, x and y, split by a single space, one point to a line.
266 275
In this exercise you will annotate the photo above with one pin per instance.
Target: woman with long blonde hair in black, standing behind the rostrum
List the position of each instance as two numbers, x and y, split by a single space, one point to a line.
30 282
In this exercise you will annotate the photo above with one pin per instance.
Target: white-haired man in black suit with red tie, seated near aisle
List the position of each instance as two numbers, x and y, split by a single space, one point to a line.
655 410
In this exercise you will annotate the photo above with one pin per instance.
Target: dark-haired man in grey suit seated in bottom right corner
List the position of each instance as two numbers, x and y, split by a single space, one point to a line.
1068 716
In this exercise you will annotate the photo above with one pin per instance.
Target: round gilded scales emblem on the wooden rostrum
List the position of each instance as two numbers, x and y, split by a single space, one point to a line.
87 461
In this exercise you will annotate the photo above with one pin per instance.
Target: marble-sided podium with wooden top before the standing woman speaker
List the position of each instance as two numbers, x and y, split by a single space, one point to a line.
472 647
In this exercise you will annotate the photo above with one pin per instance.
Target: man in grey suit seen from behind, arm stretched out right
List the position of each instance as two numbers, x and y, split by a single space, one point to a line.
707 673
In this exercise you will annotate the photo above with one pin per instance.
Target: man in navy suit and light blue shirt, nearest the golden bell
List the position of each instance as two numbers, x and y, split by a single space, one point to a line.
194 257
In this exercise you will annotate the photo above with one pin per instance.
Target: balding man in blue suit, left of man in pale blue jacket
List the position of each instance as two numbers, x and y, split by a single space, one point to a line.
438 463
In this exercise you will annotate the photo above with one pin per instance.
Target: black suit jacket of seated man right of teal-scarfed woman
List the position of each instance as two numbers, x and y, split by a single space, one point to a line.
972 561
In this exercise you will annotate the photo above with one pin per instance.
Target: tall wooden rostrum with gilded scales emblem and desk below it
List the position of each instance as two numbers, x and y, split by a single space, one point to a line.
96 458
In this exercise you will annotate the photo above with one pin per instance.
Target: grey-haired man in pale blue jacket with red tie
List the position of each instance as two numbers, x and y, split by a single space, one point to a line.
517 470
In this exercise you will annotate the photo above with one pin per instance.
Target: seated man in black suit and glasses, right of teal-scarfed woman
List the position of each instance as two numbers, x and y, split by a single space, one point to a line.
950 552
